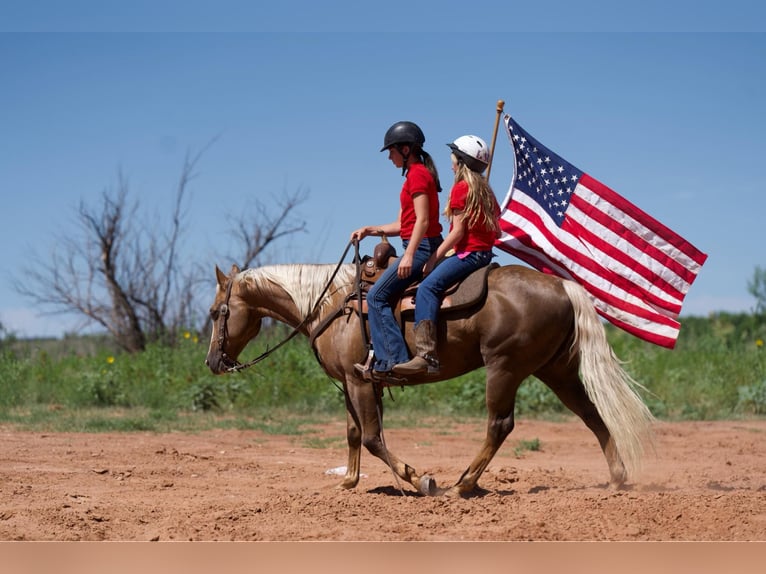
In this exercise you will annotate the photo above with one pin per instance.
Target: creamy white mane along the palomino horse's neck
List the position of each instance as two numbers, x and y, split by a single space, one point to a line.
303 282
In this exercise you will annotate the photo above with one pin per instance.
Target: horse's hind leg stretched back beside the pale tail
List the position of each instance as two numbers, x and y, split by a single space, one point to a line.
569 389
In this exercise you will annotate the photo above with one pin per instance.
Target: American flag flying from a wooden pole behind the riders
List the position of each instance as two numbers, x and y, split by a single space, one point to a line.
562 221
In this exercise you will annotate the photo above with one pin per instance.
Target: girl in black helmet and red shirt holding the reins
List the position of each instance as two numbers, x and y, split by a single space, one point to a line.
418 225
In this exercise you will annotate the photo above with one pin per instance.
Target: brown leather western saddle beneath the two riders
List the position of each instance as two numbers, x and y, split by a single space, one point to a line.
465 293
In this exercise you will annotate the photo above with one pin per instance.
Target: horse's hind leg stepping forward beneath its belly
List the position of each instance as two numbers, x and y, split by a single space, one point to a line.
501 401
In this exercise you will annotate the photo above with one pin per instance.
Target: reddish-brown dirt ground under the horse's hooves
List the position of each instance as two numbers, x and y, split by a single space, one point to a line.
706 482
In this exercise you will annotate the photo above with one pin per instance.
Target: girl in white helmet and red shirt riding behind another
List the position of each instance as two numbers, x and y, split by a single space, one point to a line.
473 212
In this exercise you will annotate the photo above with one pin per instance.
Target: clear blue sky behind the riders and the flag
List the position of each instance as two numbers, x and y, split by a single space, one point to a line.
673 121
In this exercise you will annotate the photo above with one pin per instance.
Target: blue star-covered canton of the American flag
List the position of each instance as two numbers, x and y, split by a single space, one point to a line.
541 174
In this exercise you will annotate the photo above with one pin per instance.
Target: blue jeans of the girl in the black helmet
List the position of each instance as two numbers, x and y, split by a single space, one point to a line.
385 332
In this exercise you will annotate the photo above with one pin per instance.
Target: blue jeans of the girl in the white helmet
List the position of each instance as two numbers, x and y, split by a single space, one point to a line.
448 272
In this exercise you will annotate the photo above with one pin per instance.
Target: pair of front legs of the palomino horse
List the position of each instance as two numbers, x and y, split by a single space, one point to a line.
365 409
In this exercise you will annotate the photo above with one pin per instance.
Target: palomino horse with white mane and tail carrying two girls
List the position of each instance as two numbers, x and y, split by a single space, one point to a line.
529 323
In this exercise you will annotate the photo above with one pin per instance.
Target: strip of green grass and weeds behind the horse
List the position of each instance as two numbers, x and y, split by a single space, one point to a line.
716 371
